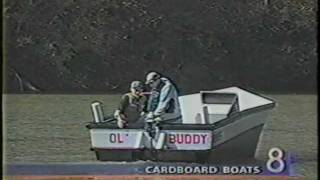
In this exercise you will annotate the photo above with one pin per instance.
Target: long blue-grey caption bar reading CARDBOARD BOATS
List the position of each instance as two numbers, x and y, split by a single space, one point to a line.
145 169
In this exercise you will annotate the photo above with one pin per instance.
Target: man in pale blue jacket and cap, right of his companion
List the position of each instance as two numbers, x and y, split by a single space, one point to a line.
163 104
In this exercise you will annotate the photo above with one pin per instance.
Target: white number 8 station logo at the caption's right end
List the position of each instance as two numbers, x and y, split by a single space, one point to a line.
278 158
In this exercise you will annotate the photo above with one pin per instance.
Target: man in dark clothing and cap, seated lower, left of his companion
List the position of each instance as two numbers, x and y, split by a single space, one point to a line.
132 105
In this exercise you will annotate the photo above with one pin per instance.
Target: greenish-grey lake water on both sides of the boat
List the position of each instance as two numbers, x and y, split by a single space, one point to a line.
51 128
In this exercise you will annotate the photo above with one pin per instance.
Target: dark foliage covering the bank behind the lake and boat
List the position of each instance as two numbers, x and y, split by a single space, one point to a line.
100 46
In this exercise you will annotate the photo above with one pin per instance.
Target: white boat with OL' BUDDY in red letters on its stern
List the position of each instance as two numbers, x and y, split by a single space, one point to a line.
217 126
